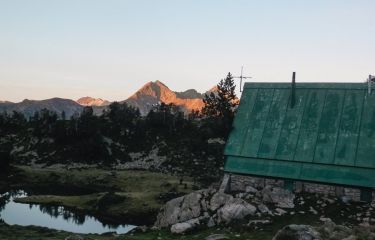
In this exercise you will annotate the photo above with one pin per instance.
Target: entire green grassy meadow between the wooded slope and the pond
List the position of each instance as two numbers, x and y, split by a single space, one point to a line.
83 190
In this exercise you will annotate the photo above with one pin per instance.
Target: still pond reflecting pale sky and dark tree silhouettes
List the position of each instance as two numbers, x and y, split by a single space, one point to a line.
55 217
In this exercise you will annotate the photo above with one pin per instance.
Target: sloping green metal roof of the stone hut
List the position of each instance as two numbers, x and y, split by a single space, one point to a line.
327 136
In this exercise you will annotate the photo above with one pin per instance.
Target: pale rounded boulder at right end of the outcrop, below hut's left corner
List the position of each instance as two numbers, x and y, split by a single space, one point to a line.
235 209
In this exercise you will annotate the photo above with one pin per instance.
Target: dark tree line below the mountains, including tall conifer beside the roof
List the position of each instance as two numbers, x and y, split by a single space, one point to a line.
110 137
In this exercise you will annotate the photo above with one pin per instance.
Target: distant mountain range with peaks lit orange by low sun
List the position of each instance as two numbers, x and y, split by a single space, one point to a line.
151 94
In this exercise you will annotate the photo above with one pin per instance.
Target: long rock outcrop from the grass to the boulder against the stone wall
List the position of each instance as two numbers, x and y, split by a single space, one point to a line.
210 207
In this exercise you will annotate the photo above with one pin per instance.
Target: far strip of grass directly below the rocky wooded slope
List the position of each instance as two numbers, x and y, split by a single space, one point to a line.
99 179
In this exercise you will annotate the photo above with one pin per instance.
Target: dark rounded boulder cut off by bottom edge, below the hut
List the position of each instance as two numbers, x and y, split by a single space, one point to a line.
297 232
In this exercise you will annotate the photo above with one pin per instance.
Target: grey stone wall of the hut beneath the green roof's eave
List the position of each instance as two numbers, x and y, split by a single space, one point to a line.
238 183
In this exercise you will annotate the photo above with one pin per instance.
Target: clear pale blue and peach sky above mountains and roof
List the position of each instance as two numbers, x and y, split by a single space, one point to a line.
109 48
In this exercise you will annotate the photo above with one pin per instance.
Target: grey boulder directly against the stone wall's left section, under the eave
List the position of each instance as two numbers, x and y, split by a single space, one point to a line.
281 197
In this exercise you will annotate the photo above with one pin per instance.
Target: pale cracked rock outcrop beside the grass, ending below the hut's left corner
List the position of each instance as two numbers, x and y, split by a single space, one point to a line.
202 207
